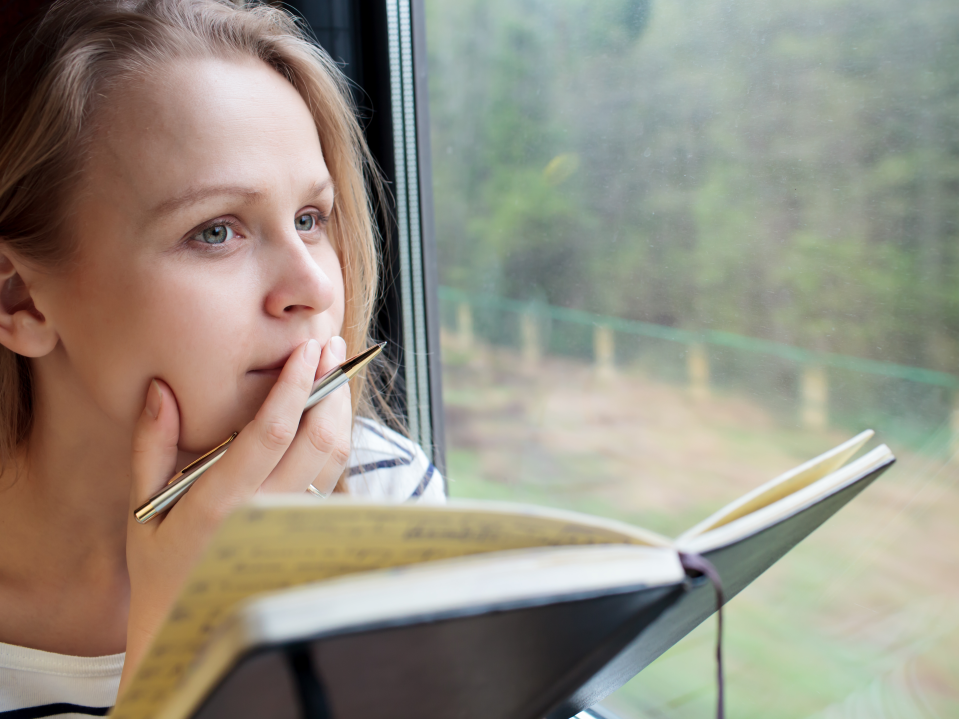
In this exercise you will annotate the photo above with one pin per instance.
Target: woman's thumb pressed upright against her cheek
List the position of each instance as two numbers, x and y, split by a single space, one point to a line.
155 440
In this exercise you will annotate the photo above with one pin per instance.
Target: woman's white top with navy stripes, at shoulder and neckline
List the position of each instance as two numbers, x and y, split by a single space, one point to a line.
34 684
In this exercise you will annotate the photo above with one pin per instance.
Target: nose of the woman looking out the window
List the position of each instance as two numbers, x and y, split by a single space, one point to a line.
298 284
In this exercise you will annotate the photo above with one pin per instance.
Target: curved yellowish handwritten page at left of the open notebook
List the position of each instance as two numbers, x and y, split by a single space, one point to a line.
283 542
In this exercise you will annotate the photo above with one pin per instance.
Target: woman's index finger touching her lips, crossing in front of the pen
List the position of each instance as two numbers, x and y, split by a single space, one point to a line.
261 445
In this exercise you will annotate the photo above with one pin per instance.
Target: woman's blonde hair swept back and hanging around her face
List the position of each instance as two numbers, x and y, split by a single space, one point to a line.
52 86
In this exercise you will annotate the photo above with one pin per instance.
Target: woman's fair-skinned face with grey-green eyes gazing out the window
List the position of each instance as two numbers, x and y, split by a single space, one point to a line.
204 258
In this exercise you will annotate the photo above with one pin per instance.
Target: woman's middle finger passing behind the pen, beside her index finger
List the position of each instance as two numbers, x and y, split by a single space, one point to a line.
321 448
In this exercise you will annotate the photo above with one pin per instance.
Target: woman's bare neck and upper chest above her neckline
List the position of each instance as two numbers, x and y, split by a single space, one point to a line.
63 510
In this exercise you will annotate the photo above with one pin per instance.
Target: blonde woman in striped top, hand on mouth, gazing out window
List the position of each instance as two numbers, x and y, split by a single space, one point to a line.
185 244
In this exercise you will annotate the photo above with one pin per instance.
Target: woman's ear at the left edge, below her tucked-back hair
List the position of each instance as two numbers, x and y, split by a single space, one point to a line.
23 328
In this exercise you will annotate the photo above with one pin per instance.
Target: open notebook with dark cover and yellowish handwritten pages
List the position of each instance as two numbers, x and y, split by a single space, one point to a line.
350 609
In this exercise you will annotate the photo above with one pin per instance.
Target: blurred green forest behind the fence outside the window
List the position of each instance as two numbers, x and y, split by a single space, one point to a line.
787 171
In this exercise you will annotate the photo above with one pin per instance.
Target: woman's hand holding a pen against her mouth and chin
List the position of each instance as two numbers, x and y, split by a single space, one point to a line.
276 452
